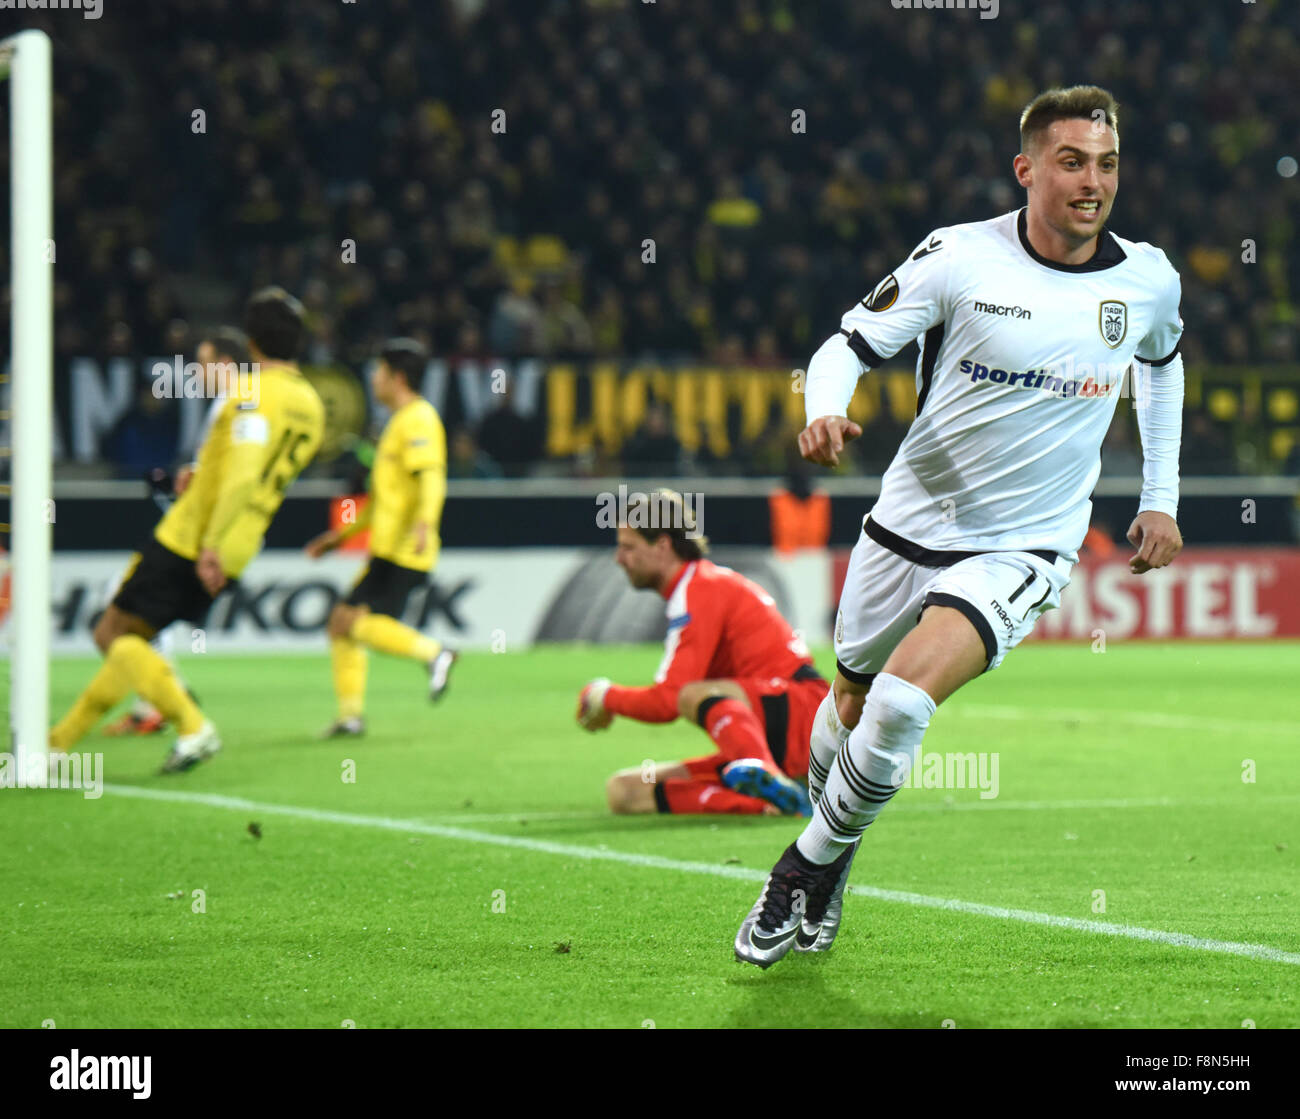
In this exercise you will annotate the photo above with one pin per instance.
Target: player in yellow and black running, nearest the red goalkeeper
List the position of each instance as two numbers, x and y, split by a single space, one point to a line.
409 485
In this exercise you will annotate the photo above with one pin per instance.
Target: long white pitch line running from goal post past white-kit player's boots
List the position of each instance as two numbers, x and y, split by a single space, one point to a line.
720 871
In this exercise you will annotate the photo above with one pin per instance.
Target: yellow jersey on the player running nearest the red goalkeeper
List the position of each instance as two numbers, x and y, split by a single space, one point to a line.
409 485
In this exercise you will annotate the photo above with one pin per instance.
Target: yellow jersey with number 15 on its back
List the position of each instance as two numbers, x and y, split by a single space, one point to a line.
258 445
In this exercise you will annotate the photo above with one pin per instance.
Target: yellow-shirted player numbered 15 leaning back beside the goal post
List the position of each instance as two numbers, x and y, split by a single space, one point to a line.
268 430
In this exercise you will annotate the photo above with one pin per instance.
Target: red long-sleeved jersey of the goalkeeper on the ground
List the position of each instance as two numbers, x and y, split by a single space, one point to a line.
721 627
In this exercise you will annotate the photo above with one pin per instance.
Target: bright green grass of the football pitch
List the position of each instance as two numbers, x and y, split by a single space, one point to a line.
1119 774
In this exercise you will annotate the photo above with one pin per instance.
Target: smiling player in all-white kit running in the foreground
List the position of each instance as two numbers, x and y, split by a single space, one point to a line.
1028 326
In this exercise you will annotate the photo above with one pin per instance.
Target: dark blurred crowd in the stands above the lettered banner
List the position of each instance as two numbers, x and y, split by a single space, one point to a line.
713 181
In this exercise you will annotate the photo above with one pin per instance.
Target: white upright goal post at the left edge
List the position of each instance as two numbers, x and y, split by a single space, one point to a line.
27 57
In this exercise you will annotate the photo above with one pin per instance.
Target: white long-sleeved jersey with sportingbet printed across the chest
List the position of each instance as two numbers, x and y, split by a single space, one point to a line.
1022 363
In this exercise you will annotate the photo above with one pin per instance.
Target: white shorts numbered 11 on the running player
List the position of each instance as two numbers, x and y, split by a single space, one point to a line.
886 589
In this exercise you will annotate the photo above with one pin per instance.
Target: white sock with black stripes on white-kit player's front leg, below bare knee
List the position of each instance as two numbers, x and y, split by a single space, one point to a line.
869 769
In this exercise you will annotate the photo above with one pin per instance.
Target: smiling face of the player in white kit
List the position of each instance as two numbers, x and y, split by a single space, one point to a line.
1074 177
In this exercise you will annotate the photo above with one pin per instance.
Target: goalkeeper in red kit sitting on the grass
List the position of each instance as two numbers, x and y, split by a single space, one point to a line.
733 665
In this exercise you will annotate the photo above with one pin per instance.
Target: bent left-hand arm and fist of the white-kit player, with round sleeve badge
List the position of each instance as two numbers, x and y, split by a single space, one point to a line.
904 306
